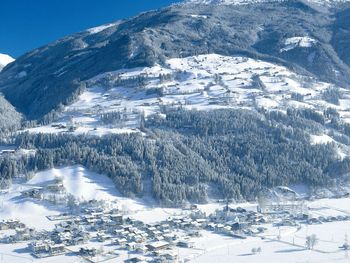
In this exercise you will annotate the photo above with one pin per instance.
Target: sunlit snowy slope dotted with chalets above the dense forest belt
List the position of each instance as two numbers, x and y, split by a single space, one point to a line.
202 82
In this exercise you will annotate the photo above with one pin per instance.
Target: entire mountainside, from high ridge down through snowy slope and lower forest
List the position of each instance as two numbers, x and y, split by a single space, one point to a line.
197 100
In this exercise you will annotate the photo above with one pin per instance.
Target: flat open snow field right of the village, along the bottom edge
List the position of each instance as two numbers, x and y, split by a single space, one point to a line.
221 249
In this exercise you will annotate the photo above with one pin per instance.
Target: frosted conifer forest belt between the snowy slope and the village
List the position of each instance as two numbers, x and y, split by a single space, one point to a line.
190 154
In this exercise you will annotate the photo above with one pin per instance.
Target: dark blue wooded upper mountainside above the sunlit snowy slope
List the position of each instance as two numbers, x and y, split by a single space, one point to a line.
311 41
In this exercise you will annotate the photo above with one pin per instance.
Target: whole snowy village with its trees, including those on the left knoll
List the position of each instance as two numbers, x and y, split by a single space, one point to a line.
96 231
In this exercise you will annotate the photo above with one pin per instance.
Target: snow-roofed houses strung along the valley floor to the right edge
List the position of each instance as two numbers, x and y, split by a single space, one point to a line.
95 223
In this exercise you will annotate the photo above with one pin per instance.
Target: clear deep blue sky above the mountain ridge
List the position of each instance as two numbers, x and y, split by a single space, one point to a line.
27 24
